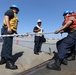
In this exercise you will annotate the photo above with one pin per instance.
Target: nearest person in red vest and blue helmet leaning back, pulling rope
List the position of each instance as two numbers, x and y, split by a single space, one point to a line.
67 42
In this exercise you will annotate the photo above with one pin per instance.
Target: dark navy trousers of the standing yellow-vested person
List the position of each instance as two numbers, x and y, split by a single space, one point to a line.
7 45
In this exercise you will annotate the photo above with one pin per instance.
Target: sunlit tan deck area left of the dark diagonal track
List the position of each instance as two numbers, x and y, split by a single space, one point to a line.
25 59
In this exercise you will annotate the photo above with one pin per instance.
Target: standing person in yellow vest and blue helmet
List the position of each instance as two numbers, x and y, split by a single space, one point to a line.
9 27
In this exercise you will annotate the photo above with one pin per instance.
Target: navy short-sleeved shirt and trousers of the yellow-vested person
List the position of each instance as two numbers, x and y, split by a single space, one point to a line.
7 41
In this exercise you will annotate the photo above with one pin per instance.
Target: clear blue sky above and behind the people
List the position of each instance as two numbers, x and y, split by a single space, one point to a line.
49 11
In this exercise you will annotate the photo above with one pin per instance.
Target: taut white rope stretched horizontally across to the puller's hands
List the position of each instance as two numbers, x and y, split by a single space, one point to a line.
27 34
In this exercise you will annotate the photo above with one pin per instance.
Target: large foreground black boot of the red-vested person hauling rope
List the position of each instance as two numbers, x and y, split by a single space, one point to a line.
55 65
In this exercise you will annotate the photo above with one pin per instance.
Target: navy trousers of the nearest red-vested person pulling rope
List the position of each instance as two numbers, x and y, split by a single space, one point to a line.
65 44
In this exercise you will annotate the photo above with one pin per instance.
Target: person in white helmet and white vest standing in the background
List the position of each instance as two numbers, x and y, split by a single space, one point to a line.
38 37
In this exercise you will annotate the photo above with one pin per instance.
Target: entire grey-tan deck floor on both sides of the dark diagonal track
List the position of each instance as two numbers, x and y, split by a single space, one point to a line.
25 59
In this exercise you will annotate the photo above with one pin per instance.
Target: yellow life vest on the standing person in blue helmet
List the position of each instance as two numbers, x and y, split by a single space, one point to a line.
13 23
